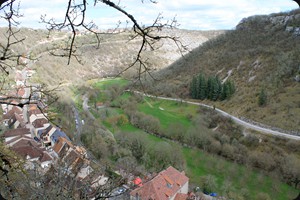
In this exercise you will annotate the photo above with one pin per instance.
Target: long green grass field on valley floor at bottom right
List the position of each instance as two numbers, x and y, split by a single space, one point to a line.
240 178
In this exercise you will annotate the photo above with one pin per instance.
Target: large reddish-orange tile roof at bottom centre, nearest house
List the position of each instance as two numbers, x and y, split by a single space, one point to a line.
166 184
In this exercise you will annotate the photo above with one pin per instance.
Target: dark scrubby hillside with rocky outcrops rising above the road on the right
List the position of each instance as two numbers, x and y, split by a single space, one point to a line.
263 52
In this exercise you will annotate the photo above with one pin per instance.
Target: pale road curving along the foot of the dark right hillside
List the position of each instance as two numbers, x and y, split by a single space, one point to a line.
237 120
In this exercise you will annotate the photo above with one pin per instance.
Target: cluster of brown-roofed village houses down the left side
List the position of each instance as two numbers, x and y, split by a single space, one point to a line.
31 136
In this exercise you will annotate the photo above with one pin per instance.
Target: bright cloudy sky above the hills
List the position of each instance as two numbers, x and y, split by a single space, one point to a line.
190 14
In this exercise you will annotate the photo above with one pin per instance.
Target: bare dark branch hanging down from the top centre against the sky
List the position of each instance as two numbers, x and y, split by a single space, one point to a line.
75 17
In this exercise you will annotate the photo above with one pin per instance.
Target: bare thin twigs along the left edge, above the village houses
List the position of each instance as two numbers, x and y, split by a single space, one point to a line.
10 58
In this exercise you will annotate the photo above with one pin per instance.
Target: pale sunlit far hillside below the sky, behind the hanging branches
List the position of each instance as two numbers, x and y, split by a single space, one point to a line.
116 52
